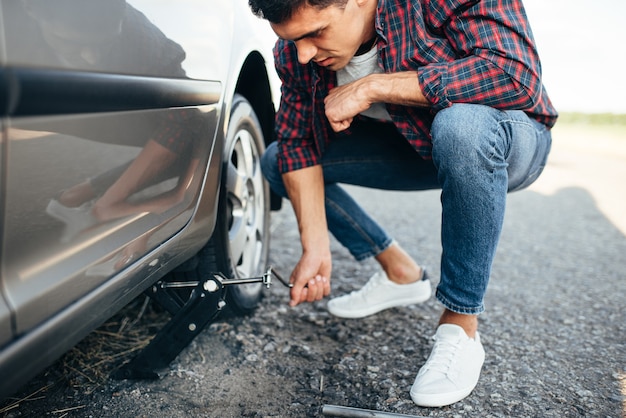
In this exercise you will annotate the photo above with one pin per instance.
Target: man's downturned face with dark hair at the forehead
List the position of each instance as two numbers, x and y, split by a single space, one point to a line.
331 36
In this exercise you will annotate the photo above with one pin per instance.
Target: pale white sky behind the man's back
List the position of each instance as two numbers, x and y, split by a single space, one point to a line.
582 46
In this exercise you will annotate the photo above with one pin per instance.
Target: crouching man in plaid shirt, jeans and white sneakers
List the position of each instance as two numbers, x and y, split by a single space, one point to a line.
407 95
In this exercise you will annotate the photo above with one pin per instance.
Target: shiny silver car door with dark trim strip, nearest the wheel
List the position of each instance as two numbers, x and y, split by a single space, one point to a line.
108 138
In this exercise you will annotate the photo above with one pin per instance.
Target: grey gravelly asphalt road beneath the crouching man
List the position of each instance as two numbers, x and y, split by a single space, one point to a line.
553 330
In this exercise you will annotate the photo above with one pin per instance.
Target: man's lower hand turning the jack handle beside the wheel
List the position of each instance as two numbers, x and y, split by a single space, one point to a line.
311 278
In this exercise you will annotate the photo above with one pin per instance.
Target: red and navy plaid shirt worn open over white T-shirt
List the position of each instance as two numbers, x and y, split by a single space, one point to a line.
464 51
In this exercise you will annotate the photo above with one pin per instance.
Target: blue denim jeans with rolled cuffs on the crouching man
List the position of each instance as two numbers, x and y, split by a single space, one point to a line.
479 154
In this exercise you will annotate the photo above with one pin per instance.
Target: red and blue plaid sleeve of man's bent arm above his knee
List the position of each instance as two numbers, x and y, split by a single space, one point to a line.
496 61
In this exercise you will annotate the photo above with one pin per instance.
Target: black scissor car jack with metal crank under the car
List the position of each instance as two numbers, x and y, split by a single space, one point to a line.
203 306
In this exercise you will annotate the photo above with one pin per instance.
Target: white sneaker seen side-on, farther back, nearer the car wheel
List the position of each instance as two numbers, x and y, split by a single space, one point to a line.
378 294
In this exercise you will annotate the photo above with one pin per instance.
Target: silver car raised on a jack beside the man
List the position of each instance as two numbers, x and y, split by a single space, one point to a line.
130 136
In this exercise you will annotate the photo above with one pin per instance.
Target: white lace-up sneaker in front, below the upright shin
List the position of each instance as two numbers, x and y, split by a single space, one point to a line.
452 369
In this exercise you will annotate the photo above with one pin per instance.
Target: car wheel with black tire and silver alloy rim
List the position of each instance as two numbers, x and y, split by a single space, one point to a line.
239 246
